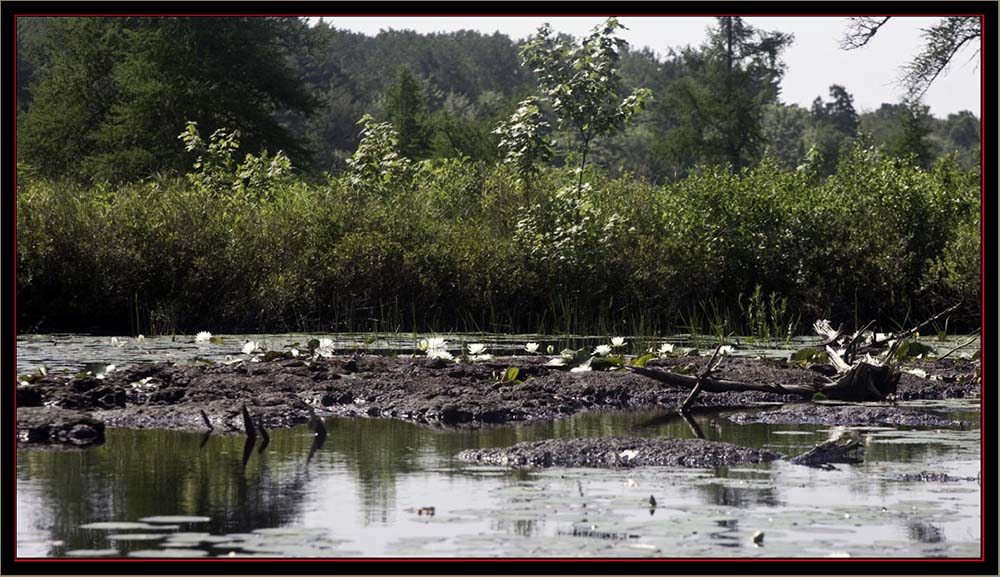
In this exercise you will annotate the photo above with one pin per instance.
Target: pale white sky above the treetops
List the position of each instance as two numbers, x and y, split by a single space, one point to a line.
814 61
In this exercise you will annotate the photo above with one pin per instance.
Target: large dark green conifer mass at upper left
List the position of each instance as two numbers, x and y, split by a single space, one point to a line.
113 92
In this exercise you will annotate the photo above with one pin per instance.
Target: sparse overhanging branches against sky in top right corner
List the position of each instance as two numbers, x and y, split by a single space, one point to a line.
942 42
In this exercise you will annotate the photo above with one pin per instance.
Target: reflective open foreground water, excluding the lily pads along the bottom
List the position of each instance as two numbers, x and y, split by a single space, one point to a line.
366 478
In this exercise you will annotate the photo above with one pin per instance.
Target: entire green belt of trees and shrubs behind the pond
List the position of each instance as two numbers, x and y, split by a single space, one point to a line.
247 174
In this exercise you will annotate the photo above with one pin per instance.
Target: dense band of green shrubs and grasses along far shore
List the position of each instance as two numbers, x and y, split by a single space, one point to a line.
463 246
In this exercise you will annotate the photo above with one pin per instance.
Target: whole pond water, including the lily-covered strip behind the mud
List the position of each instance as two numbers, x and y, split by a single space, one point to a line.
387 488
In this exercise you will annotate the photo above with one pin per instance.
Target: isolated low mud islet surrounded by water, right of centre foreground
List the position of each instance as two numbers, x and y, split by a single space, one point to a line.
612 453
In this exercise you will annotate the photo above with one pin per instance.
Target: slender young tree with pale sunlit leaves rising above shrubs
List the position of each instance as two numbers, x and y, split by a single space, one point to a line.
582 83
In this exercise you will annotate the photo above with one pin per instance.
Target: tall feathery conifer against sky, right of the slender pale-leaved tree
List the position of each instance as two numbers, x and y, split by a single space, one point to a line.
713 112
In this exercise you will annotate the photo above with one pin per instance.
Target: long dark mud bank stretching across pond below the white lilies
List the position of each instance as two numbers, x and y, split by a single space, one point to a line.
286 392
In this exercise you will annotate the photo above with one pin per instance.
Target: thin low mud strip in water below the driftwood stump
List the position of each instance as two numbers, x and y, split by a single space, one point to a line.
845 415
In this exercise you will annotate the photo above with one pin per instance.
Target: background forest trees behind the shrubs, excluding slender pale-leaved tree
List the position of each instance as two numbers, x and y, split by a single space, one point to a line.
101 99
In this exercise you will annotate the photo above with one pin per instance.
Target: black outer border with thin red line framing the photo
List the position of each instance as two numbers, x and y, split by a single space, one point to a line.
985 565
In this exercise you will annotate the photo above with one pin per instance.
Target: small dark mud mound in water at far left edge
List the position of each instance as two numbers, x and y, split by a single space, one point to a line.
54 426
